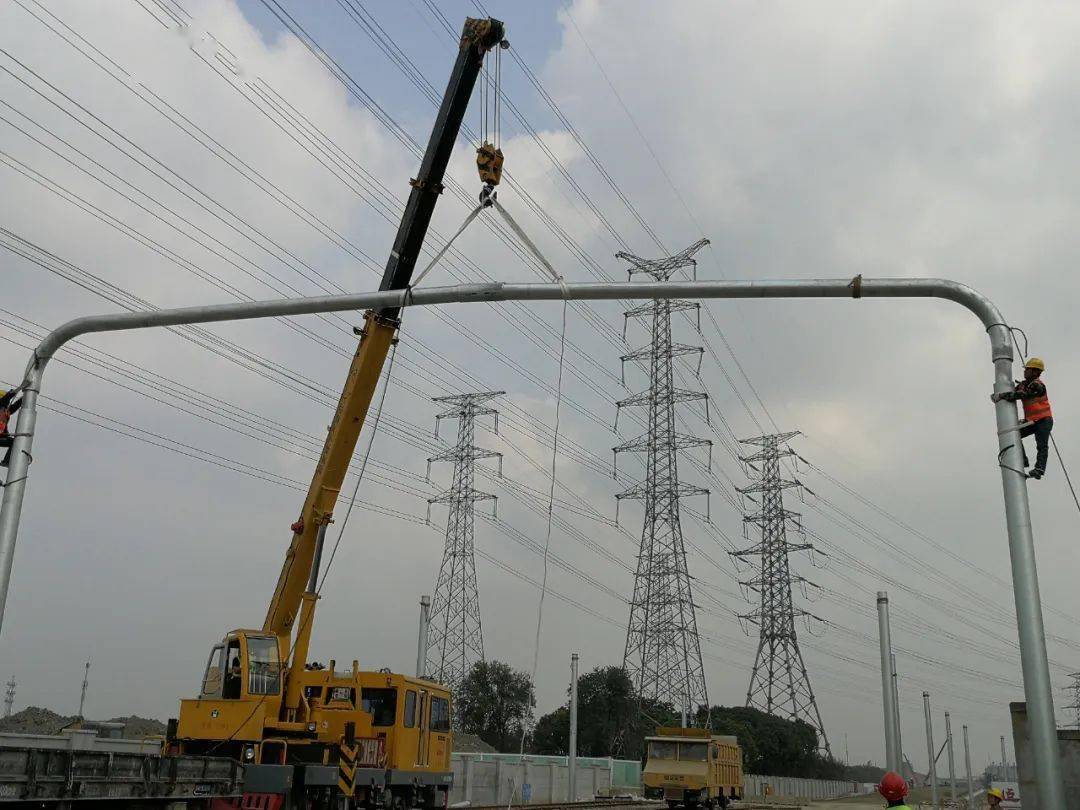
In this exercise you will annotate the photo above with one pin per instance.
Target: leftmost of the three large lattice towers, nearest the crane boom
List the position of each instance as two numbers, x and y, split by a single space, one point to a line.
456 641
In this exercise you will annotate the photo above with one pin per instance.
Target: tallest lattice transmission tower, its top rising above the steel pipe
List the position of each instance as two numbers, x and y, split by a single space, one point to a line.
664 651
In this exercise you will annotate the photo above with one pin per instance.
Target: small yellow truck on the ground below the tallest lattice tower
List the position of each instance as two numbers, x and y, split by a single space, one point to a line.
693 768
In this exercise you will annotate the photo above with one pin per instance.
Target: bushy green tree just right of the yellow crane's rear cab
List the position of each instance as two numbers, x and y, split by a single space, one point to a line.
494 703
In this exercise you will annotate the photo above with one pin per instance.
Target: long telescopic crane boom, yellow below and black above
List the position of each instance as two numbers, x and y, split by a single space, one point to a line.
298 575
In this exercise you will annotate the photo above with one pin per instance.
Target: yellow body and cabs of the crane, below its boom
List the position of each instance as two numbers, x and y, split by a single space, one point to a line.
387 736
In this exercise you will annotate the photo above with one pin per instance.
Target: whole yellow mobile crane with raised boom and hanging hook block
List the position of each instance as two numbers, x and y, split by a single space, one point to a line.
313 737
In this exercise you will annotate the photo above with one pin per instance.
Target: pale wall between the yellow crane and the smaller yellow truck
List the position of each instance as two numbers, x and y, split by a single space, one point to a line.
494 782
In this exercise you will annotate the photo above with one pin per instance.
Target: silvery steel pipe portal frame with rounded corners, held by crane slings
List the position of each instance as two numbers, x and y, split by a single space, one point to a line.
1033 643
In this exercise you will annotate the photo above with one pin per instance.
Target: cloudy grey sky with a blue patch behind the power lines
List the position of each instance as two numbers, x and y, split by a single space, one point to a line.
178 153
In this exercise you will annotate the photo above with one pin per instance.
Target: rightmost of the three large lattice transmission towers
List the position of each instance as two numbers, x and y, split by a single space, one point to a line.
779 683
